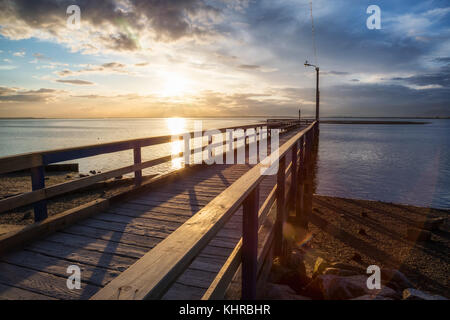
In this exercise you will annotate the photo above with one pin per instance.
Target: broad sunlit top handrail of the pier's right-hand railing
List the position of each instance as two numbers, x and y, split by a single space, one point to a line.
152 275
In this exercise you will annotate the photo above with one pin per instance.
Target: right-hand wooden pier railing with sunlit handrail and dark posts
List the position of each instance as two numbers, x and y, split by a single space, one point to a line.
152 275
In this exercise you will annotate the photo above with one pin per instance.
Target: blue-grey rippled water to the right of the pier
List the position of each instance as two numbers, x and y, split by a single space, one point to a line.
407 164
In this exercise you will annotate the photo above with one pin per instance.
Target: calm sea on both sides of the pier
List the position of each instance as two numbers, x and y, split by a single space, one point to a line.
396 163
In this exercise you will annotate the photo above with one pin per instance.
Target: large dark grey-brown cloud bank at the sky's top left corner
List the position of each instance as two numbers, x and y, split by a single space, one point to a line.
109 24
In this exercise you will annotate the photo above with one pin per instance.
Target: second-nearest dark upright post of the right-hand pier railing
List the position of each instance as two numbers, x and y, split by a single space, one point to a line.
281 185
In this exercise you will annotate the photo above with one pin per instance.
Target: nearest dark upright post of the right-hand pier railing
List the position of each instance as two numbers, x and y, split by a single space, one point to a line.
250 245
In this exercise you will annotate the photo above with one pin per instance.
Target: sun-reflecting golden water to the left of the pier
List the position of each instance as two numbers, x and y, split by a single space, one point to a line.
23 136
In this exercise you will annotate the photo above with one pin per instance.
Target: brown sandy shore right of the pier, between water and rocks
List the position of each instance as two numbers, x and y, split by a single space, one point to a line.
336 229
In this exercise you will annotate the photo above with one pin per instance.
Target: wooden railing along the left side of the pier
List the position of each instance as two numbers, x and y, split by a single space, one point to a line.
38 160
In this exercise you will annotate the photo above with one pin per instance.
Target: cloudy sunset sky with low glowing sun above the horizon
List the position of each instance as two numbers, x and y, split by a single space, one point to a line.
154 58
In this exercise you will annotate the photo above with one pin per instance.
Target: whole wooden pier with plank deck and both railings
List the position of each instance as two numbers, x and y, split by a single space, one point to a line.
202 232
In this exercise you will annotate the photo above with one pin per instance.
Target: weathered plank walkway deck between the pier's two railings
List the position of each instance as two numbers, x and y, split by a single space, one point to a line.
108 243
